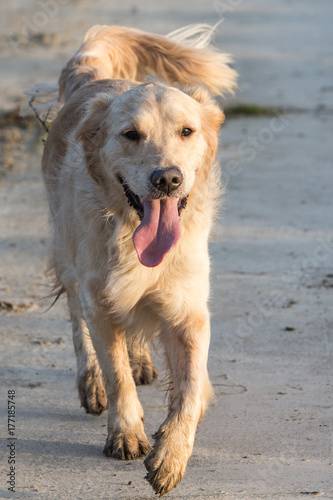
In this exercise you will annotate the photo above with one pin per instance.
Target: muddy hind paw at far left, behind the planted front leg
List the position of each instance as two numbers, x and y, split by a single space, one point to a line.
92 392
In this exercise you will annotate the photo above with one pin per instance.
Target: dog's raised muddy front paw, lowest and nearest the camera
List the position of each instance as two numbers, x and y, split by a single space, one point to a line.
164 470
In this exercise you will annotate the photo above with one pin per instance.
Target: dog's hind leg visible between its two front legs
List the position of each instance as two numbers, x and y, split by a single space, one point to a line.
143 368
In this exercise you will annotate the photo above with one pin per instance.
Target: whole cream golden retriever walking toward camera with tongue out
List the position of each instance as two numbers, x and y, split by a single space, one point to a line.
130 173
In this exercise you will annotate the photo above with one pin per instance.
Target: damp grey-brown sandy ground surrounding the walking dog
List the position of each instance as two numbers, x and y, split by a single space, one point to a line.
269 433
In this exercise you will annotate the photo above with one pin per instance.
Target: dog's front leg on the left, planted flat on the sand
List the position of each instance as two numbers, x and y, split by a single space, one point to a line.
126 437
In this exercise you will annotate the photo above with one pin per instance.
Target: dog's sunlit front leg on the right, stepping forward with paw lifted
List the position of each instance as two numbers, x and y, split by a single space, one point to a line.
187 351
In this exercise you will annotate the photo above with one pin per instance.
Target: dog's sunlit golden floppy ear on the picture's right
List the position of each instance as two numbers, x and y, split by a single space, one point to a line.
212 119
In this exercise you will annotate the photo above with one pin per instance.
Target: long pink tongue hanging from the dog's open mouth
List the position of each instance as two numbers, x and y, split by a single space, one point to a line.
158 232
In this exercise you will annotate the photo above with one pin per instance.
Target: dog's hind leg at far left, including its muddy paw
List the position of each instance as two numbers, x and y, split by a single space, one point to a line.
89 374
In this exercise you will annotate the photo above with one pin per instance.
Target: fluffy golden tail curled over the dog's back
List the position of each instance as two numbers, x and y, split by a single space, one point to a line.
183 57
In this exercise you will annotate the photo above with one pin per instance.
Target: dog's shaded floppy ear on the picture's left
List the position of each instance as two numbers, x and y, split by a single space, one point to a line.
92 133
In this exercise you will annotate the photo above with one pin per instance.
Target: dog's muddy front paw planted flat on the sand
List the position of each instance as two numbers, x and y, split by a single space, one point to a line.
126 446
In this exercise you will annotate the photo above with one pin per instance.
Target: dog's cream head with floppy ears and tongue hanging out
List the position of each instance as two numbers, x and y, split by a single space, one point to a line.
153 143
